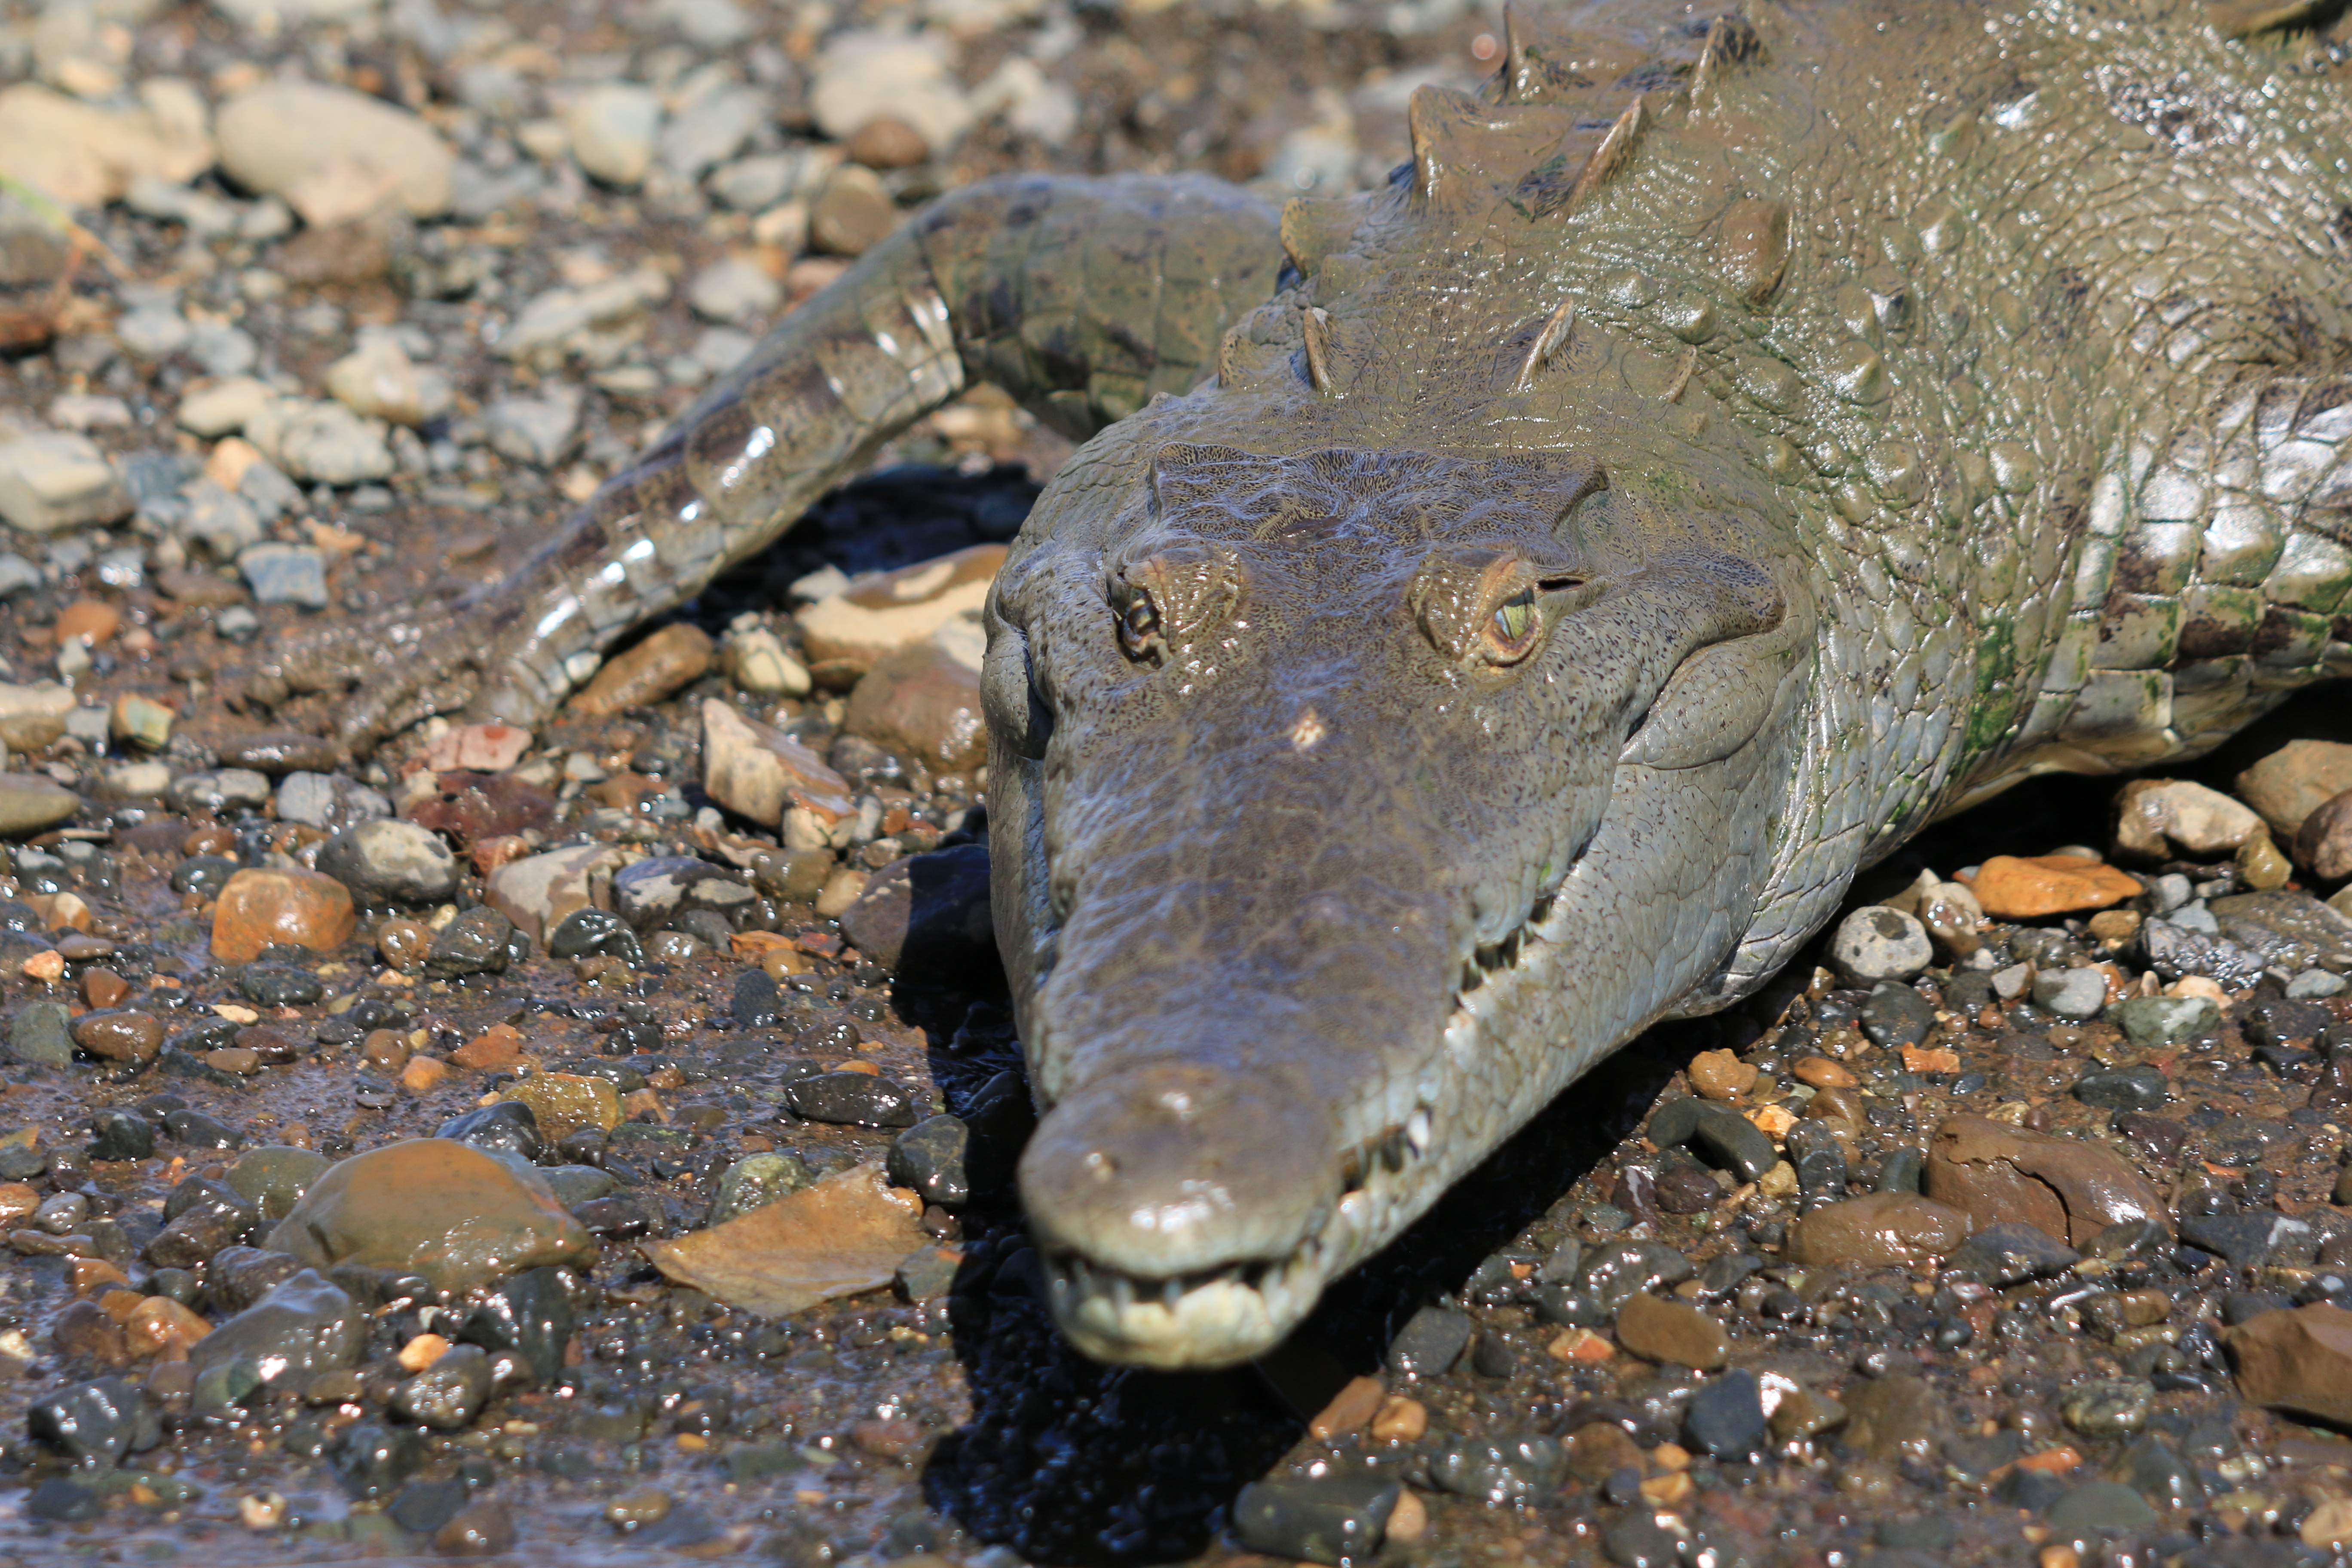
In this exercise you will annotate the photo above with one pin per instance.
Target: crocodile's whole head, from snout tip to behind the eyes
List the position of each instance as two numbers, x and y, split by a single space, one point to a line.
1344 808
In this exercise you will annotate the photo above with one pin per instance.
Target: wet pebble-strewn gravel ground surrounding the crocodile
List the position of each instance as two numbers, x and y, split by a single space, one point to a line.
592 1144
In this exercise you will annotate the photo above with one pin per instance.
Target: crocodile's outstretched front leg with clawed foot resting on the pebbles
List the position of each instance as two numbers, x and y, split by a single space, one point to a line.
1081 297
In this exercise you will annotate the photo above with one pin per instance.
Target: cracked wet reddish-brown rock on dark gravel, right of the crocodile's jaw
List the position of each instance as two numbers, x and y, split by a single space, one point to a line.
2059 1186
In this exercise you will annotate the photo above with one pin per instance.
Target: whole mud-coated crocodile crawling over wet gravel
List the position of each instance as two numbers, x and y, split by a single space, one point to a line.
1504 610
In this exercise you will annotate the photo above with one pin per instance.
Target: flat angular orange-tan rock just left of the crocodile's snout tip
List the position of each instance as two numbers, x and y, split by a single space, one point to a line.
848 1233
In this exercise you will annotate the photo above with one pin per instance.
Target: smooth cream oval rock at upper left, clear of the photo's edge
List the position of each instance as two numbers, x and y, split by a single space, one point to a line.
335 154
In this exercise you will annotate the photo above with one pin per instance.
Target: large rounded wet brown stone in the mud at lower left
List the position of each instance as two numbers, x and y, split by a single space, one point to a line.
432 1207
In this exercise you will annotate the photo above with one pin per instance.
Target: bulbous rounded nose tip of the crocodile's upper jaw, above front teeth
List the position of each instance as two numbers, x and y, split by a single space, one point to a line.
1175 1170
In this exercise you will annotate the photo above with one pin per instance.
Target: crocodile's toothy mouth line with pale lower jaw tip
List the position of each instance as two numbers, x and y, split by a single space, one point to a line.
1241 1311
